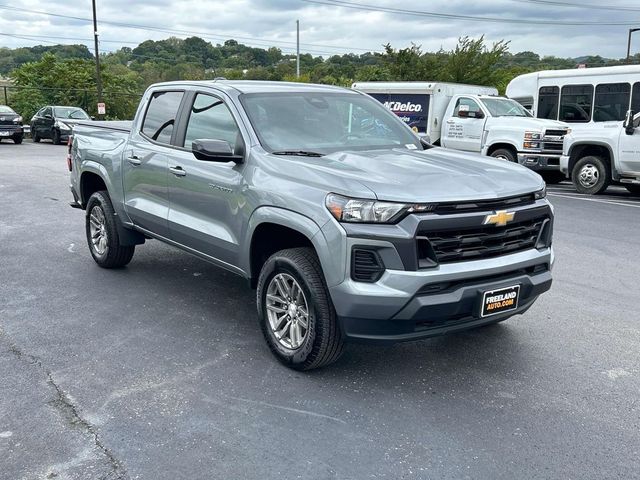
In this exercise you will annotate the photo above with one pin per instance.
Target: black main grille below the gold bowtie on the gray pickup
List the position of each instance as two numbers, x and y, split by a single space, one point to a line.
486 241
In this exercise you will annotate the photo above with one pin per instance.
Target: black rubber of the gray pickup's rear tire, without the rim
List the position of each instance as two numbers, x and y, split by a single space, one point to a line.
115 255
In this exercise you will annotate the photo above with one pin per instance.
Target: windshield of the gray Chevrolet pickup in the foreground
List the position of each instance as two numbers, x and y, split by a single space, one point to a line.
324 122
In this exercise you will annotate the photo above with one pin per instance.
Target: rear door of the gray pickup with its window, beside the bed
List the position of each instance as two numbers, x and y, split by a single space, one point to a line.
146 162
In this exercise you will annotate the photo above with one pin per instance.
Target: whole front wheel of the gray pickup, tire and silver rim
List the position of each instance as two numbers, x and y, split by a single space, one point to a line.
296 315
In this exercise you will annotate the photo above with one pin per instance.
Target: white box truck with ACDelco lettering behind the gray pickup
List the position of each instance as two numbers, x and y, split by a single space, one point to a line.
475 119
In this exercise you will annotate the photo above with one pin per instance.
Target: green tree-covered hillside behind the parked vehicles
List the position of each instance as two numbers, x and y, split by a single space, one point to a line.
65 74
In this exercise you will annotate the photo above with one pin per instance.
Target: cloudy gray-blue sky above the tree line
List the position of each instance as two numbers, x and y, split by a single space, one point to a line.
333 26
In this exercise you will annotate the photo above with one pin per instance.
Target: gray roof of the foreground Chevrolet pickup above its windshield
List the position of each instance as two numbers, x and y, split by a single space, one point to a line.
260 86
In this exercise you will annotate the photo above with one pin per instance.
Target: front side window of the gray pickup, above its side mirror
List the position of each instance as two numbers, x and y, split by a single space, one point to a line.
211 119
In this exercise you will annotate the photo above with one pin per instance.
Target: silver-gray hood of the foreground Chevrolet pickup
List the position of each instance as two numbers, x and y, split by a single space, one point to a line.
435 175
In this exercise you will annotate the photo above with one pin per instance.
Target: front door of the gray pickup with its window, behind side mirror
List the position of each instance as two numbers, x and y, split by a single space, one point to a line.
206 205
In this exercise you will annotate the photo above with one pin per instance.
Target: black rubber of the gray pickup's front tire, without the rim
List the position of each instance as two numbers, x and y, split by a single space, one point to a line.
323 342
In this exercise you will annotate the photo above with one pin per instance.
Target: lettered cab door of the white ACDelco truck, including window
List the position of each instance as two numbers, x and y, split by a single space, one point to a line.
463 130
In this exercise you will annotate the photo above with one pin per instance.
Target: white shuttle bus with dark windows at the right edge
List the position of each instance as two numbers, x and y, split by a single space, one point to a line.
595 102
